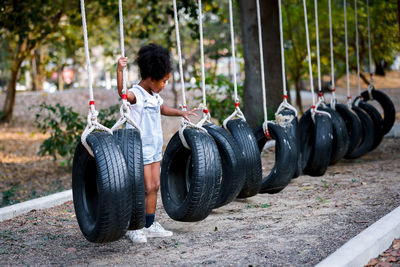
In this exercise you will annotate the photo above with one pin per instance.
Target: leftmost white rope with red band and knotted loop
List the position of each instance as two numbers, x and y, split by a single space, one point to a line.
92 123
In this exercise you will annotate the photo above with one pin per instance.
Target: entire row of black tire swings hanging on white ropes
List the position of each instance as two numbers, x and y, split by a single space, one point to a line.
206 166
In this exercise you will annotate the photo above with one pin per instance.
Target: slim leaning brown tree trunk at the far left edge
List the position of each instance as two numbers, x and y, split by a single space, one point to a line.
11 91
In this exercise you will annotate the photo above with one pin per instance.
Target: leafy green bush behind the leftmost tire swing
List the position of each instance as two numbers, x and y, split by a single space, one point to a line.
65 127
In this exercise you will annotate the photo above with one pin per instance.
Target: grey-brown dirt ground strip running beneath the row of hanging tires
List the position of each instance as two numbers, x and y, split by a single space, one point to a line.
300 226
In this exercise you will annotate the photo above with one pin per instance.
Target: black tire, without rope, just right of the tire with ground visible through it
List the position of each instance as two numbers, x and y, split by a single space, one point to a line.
316 143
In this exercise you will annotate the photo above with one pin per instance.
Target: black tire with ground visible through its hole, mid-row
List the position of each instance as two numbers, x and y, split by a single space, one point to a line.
285 157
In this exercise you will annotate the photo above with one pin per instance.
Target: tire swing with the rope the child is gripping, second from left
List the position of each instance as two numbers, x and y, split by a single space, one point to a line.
130 142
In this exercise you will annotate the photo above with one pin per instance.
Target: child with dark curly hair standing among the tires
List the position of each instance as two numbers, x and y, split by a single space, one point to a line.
146 108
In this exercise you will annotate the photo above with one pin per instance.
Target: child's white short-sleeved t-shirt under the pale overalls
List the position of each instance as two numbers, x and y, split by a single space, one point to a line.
141 96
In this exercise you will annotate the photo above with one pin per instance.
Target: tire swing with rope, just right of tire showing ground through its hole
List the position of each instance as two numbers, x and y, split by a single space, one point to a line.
316 130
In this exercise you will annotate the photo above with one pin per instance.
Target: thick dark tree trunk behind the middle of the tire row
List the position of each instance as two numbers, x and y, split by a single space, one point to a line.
253 103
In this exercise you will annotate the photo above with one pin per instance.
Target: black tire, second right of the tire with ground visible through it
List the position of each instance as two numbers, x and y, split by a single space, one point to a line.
340 142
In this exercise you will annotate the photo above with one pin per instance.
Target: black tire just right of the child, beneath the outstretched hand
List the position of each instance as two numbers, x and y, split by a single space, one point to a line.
190 179
